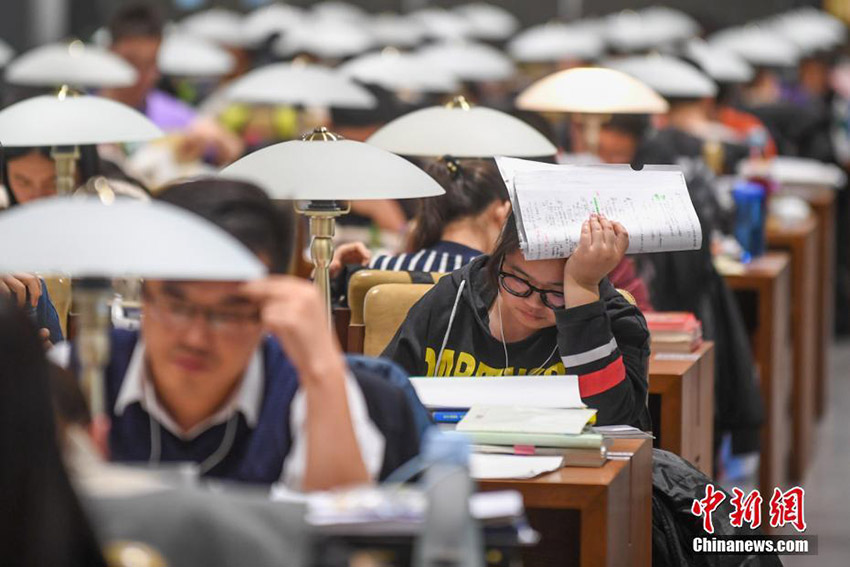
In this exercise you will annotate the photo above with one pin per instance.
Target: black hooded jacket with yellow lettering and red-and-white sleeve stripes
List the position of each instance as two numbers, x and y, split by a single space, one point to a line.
605 343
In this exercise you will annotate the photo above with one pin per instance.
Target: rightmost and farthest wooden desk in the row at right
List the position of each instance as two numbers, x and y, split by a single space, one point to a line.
823 203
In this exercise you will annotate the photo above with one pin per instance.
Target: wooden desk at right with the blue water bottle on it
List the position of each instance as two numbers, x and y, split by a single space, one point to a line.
764 293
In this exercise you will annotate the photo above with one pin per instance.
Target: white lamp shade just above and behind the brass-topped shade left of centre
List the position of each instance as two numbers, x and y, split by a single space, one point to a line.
297 84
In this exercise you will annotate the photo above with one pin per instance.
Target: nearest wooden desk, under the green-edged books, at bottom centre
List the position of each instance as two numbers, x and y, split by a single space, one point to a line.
592 517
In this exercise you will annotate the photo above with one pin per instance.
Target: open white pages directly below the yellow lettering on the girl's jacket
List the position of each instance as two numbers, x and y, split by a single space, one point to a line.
530 391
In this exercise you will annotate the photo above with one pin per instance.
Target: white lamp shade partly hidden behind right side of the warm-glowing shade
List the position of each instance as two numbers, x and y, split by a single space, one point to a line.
668 76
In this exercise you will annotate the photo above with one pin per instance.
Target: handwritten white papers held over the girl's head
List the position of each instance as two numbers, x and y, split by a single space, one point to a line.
654 206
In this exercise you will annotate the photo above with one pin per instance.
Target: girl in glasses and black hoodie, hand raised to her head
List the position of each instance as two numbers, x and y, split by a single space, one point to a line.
504 315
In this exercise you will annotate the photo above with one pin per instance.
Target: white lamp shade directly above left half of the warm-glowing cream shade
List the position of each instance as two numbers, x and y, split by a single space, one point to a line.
555 42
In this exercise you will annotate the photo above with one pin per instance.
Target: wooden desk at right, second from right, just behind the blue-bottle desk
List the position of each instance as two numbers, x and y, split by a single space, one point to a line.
800 241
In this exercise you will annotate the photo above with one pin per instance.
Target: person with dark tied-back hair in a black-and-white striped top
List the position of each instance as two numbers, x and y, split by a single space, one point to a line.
452 229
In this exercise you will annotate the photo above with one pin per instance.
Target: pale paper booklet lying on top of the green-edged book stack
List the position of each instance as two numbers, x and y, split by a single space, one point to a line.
526 420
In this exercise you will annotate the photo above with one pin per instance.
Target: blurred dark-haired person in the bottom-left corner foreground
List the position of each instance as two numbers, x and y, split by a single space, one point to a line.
41 520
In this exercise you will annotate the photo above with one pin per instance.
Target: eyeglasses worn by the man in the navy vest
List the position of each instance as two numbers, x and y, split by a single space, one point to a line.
179 314
